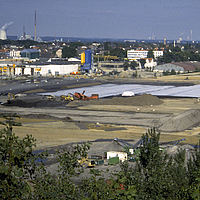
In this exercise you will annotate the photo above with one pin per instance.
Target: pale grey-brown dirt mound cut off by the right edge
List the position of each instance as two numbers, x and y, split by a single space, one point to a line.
184 121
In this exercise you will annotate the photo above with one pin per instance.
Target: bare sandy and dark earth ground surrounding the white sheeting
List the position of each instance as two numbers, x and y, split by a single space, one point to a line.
55 123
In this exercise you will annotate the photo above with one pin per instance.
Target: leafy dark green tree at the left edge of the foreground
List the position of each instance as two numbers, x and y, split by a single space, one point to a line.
17 161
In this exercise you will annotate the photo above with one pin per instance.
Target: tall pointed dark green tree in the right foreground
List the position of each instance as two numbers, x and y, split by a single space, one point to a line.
158 175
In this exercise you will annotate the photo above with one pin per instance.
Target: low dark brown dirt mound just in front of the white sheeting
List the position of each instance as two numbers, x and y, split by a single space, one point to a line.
142 100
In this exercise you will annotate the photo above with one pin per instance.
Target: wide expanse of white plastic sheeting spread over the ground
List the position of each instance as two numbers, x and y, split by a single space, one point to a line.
138 89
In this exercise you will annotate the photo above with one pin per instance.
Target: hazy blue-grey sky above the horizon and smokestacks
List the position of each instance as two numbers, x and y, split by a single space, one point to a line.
131 19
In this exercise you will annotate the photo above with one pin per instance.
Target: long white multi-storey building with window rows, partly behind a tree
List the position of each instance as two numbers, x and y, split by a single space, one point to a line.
138 54
